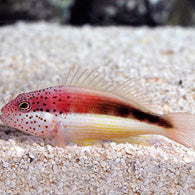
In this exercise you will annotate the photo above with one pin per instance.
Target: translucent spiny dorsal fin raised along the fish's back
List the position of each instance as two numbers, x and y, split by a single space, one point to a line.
79 77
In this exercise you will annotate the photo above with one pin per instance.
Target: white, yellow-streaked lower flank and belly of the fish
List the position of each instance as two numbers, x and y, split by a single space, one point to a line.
103 127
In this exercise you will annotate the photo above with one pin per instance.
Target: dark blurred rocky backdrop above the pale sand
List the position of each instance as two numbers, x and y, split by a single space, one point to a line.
100 12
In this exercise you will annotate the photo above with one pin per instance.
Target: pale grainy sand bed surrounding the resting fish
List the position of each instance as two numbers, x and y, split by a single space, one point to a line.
33 56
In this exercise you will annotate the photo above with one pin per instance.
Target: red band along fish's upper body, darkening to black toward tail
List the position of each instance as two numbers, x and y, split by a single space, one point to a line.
63 99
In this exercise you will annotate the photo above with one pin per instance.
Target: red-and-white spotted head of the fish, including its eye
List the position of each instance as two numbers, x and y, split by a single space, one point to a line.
25 113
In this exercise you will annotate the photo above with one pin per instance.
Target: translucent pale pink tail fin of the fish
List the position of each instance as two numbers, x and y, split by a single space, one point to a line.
184 131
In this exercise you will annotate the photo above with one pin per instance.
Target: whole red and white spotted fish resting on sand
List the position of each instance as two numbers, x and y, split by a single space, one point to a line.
87 108
